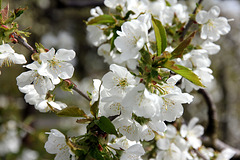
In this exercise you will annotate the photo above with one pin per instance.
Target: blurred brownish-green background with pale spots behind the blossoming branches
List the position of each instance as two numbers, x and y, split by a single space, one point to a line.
60 24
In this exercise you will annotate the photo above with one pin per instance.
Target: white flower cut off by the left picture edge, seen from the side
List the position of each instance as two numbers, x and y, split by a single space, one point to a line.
8 56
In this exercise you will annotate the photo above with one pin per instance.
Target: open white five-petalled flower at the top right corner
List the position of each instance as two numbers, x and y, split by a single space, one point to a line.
213 26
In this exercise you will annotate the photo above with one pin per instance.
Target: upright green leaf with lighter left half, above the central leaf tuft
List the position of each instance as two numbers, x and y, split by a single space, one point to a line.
160 35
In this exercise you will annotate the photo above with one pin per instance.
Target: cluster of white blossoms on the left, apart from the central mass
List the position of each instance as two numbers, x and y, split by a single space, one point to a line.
44 74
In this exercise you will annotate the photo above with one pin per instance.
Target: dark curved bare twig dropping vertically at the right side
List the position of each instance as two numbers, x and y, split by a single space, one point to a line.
211 129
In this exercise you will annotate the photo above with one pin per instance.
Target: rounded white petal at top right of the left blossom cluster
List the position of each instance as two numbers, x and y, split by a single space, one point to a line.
65 55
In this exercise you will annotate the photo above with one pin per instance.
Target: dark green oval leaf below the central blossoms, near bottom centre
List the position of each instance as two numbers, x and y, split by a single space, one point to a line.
106 125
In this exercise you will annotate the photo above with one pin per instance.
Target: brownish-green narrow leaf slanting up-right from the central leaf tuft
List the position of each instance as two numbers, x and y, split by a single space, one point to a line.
178 52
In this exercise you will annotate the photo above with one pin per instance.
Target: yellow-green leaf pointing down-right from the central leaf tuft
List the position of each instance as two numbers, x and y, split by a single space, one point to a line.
183 71
